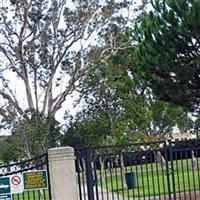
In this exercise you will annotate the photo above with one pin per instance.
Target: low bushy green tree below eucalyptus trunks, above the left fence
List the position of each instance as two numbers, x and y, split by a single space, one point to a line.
31 137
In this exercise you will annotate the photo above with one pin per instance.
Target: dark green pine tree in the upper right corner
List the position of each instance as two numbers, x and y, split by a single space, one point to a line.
168 51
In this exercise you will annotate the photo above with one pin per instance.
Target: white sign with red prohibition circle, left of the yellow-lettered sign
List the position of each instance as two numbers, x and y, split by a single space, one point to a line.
16 182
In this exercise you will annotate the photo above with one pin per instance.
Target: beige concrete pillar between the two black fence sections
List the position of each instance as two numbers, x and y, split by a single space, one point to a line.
62 173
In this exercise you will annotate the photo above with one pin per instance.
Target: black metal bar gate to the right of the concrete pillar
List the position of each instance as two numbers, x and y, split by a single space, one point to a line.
156 170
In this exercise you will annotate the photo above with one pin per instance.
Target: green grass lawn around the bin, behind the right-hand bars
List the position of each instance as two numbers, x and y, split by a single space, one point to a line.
152 179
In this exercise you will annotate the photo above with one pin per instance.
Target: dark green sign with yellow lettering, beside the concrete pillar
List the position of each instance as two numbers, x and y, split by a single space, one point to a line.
35 180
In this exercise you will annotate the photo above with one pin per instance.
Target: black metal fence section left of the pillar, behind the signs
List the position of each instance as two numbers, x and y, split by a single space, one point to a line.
30 165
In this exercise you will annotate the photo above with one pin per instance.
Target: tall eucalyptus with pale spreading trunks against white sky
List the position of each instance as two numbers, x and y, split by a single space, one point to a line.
45 47
